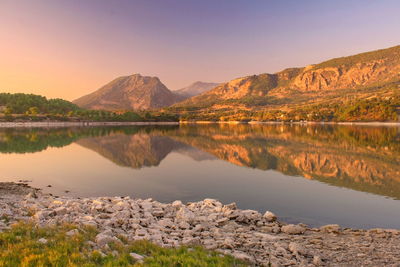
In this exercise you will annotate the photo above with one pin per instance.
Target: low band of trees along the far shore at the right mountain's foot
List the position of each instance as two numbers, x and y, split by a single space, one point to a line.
374 109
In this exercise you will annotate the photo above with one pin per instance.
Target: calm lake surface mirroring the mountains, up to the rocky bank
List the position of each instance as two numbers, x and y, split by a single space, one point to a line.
312 174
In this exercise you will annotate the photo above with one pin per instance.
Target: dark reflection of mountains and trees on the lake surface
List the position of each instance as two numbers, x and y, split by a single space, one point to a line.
361 158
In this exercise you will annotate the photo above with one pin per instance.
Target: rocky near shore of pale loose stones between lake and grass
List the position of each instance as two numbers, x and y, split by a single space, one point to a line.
246 234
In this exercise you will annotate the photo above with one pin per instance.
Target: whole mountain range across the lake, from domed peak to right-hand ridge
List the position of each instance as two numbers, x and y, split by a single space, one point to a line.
330 84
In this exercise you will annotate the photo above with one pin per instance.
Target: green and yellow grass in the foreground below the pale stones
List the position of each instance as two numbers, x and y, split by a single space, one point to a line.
20 246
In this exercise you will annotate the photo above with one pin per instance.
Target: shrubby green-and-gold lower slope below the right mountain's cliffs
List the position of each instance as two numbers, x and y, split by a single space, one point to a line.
376 103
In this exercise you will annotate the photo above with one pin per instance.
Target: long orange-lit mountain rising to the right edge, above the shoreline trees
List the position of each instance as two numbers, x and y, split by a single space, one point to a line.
335 82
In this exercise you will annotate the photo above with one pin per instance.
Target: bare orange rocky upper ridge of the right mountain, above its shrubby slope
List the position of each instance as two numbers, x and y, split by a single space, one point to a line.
354 72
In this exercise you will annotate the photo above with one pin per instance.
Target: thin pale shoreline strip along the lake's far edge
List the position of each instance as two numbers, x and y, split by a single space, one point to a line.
45 124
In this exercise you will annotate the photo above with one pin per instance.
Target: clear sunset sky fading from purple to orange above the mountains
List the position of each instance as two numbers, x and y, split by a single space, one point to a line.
69 48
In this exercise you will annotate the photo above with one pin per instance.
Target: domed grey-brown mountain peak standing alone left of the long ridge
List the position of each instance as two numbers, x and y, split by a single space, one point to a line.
134 92
